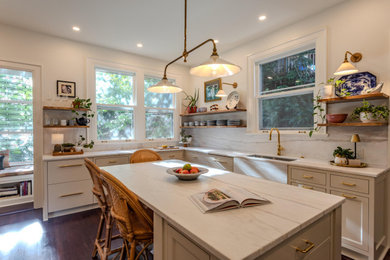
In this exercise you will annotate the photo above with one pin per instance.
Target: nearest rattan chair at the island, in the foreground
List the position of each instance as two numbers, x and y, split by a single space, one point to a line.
135 223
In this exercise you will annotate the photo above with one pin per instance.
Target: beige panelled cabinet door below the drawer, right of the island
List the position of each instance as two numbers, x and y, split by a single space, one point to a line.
354 220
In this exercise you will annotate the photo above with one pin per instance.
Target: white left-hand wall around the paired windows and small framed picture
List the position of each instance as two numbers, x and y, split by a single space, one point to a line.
62 59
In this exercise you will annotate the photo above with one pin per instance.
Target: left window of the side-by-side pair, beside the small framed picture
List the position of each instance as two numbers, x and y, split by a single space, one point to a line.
115 104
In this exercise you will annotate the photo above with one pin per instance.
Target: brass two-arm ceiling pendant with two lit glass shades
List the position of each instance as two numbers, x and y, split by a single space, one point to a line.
214 67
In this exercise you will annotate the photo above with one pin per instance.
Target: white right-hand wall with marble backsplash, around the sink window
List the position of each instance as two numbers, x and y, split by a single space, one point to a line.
356 25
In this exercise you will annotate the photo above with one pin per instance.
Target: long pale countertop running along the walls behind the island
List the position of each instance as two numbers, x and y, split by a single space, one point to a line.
302 162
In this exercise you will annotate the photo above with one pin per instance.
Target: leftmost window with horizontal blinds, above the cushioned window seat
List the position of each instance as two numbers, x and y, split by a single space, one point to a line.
16 114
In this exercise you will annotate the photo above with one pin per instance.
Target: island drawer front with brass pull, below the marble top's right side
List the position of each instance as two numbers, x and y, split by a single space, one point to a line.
316 236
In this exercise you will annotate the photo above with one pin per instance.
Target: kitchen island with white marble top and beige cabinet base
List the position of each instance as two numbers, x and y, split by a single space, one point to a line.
297 224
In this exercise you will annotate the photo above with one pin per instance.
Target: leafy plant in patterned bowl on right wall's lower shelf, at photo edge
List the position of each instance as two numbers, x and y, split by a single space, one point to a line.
370 113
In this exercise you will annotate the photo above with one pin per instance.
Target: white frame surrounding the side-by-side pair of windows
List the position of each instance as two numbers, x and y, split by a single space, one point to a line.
139 108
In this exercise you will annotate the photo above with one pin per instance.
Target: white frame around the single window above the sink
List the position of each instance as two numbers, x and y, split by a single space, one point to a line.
315 40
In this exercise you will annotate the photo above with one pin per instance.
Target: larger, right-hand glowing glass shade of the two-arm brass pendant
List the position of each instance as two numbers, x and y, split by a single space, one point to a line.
215 67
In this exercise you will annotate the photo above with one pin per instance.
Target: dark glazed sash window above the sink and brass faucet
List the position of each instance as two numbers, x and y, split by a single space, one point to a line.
285 91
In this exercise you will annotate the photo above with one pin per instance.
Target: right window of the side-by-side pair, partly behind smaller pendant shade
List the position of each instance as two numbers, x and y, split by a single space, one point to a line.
159 111
